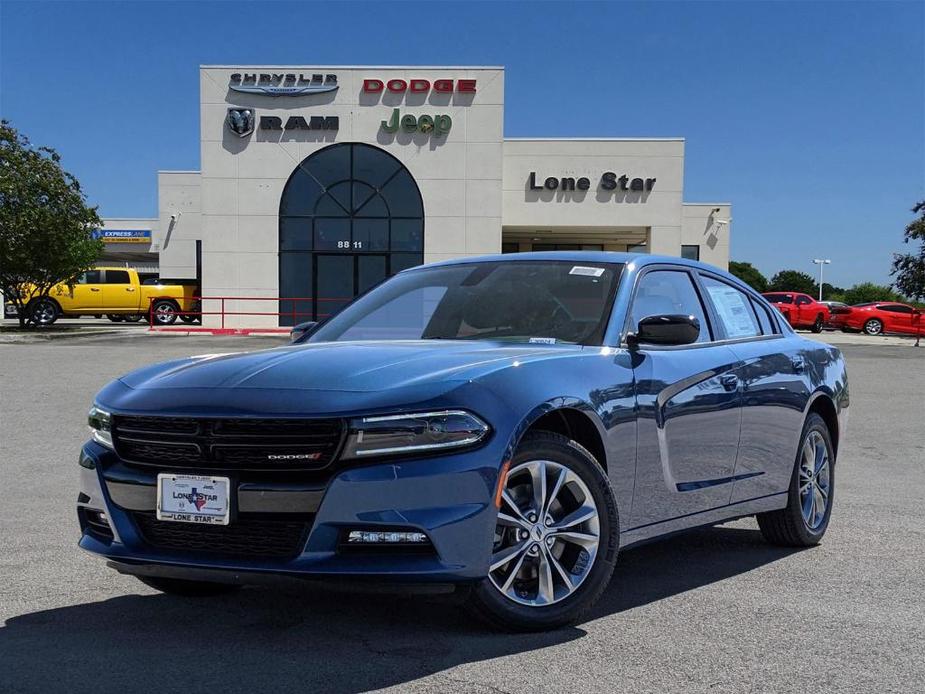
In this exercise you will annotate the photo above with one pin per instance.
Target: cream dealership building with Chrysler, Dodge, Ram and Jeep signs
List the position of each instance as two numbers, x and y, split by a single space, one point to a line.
318 182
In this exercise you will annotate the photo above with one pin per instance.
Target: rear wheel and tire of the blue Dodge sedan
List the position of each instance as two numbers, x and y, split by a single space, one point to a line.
812 492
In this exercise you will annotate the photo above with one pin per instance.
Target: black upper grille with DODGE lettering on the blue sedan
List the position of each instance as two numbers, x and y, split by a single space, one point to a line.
254 444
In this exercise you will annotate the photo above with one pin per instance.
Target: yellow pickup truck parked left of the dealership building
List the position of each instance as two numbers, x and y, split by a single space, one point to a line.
117 292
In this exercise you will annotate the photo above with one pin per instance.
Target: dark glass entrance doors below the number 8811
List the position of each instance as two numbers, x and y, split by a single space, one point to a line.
339 278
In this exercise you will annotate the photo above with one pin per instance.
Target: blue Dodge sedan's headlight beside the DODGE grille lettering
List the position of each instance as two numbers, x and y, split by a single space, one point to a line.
413 433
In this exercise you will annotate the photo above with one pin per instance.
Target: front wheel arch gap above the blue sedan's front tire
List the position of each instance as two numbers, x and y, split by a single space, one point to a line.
570 417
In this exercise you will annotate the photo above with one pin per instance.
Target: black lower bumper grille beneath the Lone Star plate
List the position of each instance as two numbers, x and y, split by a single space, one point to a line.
247 536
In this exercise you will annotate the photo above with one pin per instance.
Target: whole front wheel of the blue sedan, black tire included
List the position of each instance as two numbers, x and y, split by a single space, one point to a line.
556 540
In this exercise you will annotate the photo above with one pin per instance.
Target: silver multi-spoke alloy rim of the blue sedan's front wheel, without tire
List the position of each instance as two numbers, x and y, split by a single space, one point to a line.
547 535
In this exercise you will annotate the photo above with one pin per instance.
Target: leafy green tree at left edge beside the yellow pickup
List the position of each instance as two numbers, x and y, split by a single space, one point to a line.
46 227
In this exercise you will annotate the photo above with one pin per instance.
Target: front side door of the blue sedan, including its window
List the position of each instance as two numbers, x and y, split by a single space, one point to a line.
687 401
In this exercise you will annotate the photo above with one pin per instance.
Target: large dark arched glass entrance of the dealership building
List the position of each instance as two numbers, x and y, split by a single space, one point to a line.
350 216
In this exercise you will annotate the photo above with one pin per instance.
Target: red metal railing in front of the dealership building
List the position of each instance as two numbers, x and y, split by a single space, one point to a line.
297 314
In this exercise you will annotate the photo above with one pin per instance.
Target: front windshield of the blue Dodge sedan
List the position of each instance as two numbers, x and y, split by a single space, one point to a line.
542 302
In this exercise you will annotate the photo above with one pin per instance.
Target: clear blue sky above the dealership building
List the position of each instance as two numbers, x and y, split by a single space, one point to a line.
808 117
